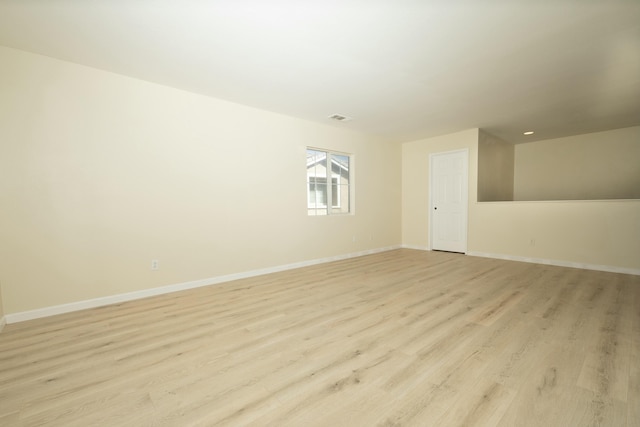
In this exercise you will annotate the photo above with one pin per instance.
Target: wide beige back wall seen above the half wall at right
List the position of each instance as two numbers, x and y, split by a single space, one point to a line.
602 165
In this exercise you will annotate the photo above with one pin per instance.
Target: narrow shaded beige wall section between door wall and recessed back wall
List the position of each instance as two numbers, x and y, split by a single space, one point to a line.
495 168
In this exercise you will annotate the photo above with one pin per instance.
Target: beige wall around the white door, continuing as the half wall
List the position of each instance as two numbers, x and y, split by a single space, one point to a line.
587 233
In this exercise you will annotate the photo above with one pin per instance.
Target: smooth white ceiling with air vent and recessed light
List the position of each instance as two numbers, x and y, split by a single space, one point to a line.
401 69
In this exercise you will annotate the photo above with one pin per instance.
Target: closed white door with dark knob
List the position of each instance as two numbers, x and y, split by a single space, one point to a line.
448 200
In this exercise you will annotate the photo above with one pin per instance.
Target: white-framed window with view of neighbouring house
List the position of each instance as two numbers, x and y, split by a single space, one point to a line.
328 179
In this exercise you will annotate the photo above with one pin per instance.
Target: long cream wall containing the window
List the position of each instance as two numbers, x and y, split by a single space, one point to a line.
101 173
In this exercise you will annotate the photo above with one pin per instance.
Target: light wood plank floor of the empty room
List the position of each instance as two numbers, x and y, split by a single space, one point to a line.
402 338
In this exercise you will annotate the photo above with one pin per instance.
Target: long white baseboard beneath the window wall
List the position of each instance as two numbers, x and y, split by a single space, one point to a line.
130 296
